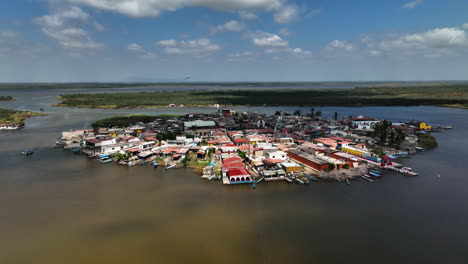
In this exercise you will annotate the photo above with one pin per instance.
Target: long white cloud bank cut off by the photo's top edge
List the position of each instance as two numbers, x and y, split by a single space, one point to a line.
142 8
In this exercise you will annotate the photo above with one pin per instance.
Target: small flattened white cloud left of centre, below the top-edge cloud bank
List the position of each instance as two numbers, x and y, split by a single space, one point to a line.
197 48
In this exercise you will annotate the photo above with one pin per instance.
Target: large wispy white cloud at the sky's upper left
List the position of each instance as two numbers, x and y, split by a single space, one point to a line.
65 26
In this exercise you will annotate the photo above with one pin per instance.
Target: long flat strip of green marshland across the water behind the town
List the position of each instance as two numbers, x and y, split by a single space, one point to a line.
447 96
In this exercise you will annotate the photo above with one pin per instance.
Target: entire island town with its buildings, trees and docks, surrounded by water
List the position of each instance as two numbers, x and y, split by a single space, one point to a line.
248 148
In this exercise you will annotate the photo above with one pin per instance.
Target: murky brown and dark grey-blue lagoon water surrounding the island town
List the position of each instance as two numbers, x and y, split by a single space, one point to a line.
57 207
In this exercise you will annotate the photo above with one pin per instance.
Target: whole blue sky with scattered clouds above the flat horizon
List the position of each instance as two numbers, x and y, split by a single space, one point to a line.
233 40
